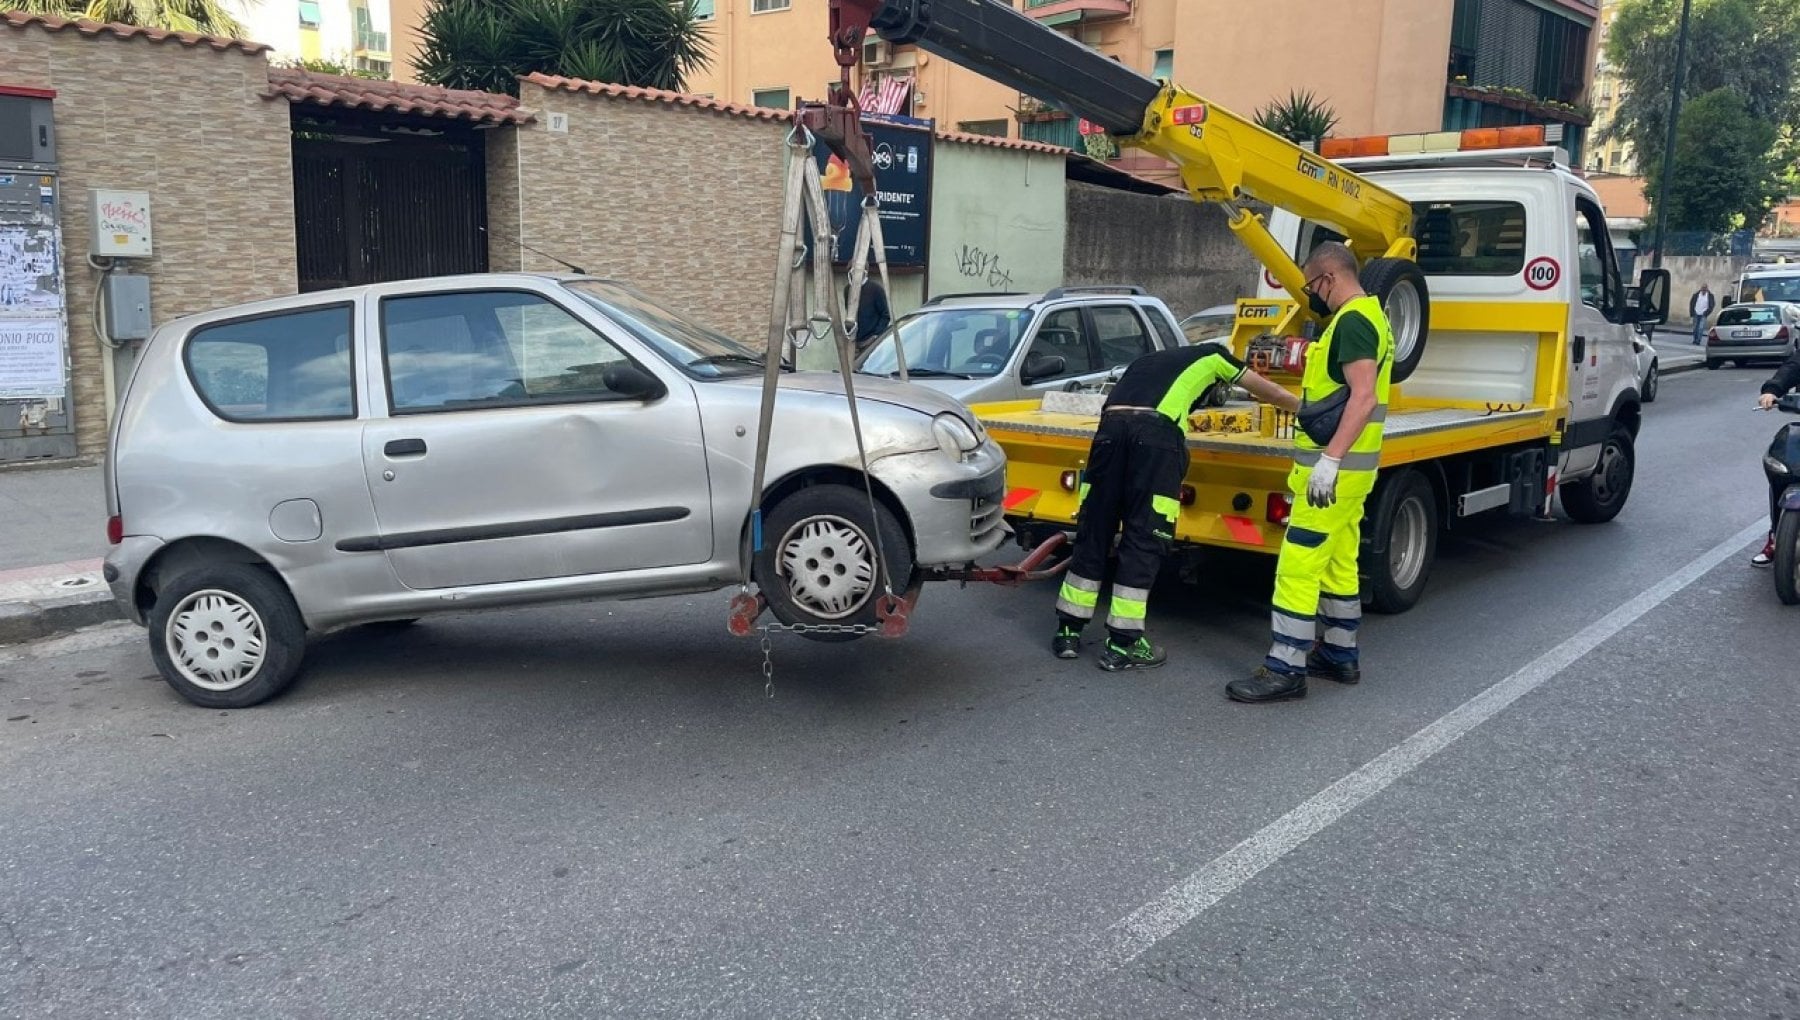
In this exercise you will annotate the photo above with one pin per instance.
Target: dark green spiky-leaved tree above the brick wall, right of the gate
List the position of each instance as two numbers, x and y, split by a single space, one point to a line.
489 44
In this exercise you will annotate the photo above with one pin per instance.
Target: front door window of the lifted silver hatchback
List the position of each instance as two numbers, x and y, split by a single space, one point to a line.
454 352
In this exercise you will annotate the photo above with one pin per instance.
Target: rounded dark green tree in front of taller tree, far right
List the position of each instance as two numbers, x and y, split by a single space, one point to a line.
1725 172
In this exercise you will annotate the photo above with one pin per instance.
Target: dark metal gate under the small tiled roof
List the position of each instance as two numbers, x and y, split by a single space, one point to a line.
373 208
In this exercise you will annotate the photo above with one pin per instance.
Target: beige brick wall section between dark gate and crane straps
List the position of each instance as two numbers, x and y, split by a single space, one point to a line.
676 201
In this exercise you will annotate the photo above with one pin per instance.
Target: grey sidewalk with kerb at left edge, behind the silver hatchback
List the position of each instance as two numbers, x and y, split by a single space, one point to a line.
51 553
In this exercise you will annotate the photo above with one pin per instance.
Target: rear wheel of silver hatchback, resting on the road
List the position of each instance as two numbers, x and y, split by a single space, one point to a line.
228 636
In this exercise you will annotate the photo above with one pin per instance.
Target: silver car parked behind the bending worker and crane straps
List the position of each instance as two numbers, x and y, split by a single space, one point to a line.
1018 346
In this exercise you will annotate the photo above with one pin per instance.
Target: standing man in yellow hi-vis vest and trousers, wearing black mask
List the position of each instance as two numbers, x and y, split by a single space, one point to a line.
1317 580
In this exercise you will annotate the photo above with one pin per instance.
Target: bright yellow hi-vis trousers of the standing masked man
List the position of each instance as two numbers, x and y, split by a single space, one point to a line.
1317 586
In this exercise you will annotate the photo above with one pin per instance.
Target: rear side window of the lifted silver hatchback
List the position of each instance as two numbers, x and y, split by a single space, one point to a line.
292 366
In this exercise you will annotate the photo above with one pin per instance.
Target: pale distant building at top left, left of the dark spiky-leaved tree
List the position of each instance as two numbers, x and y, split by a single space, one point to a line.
350 33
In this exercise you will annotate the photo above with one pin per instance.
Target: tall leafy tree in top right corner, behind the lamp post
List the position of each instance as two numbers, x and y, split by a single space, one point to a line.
1745 48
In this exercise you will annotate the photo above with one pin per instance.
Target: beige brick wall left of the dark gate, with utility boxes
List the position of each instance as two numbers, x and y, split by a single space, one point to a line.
190 125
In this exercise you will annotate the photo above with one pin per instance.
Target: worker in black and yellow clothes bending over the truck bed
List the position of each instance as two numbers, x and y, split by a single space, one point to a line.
1133 492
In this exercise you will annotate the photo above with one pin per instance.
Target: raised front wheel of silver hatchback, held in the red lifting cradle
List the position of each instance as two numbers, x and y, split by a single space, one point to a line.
820 564
